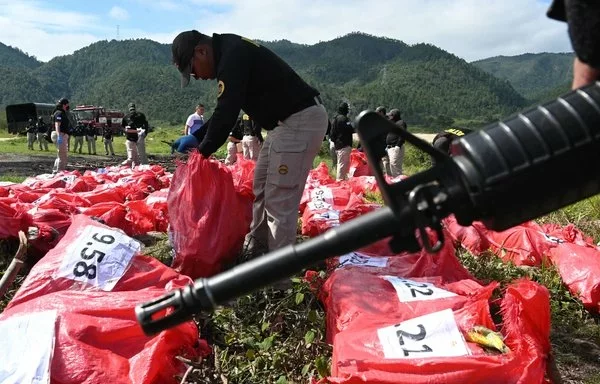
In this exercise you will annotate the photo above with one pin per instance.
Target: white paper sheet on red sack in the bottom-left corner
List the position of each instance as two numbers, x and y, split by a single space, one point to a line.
27 346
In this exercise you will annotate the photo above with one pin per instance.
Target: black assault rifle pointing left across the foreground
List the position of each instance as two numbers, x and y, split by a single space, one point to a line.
511 171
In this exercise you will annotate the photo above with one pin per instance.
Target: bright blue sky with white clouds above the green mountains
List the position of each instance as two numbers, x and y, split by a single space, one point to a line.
470 29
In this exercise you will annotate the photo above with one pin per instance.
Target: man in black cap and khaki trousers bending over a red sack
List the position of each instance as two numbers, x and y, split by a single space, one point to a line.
280 102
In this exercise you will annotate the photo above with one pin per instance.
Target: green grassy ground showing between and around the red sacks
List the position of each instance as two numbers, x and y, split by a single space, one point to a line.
278 337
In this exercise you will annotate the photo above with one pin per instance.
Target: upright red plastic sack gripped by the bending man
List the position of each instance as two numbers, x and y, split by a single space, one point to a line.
207 229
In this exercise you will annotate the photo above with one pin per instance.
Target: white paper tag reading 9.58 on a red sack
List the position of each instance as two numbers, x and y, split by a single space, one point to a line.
99 256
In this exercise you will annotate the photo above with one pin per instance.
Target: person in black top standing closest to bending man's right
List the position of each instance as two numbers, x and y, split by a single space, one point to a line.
341 135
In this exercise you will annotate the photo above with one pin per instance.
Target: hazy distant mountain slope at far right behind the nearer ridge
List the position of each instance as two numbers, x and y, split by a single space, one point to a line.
538 77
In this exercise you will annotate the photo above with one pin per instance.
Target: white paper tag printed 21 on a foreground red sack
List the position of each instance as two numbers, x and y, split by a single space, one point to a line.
432 335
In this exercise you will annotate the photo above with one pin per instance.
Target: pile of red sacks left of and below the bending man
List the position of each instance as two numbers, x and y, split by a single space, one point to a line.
74 314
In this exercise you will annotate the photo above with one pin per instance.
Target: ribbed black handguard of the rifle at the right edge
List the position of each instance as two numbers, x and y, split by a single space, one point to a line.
533 163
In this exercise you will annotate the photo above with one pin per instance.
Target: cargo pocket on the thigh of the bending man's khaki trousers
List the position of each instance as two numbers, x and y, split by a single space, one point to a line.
285 164
